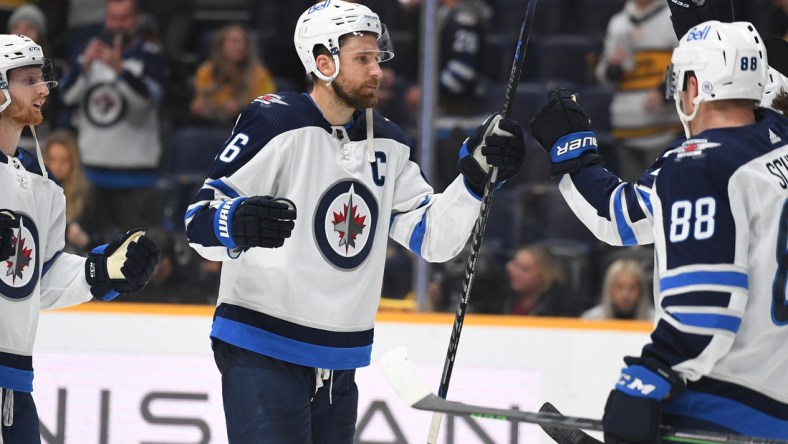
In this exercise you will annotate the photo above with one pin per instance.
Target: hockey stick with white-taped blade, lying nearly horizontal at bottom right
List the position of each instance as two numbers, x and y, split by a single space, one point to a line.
402 376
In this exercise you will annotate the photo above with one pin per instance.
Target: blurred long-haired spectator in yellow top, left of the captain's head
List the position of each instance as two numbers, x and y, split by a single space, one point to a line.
231 78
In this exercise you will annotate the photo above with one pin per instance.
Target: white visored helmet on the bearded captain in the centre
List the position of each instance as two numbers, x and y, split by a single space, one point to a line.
325 22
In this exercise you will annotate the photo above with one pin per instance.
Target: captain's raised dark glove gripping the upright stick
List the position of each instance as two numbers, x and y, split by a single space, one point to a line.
498 142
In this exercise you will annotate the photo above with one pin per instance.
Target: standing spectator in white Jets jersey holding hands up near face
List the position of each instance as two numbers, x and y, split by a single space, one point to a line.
116 83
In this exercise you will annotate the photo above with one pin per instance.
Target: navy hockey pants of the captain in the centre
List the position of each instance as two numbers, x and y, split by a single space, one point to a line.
271 401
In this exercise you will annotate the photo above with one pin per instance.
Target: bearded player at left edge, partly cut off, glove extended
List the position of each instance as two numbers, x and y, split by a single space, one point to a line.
35 274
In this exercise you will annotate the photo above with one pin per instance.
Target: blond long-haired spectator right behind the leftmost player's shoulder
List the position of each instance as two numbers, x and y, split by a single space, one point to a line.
61 157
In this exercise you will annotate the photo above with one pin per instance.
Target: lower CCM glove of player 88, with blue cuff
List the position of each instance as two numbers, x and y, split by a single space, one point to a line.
634 408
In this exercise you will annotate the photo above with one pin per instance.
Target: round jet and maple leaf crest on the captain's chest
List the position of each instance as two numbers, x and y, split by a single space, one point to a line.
345 222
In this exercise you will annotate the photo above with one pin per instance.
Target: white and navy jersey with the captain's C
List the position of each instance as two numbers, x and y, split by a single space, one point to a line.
313 301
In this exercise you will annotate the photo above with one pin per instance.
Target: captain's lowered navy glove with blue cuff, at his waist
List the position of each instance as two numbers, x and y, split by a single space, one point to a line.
257 221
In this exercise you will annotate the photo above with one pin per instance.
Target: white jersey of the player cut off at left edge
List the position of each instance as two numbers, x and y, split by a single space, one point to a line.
39 276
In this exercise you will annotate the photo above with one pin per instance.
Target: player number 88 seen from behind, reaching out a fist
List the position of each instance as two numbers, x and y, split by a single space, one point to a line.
714 206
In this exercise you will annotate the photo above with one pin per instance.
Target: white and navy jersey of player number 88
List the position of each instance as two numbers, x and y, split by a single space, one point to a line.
716 209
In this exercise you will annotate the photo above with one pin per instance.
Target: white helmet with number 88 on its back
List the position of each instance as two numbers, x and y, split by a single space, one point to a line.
728 59
